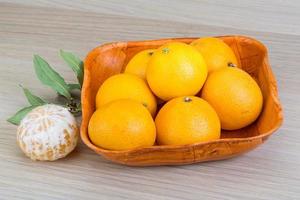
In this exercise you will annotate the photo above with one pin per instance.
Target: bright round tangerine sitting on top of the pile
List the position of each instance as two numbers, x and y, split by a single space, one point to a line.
176 69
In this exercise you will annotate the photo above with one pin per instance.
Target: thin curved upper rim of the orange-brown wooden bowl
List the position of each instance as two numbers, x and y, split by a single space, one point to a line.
273 93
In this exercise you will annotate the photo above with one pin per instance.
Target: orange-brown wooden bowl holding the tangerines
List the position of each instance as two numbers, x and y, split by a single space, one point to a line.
109 59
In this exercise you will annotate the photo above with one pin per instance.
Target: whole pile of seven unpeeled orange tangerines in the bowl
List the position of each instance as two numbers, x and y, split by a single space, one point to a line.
176 94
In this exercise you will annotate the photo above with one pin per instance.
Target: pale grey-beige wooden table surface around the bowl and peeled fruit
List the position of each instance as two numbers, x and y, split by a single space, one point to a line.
42 27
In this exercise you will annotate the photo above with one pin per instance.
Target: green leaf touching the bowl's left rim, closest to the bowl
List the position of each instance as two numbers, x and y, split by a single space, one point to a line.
75 63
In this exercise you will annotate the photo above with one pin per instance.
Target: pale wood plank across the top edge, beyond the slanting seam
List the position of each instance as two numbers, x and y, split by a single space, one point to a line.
263 15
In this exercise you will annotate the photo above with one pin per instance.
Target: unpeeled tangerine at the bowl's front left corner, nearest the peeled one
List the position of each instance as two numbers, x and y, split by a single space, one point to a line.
122 125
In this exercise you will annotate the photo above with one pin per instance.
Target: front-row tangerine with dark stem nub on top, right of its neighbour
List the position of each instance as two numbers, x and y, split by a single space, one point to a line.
187 120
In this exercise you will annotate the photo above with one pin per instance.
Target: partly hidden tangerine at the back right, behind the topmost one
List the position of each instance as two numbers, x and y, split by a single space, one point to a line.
216 53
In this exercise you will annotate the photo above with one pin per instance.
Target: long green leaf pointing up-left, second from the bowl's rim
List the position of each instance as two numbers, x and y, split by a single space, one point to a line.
50 77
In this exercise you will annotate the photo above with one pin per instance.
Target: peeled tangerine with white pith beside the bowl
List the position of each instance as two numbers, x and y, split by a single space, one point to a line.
48 132
